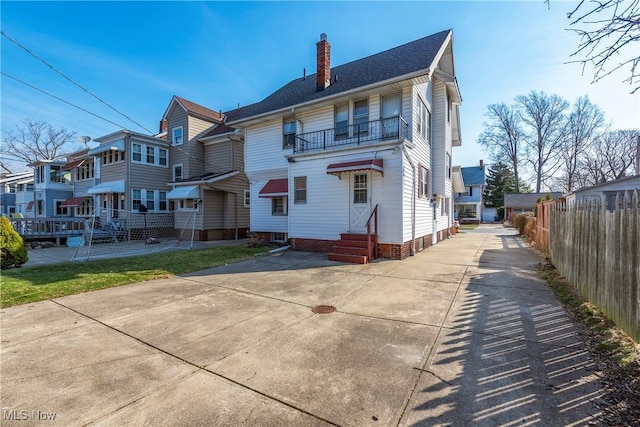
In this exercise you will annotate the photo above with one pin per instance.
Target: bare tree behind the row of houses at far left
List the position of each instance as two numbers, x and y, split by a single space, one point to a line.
36 140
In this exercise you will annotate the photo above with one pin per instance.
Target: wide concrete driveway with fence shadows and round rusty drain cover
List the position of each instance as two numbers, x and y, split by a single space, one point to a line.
461 334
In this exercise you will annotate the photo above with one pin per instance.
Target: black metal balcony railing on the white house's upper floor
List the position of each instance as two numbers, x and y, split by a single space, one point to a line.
360 133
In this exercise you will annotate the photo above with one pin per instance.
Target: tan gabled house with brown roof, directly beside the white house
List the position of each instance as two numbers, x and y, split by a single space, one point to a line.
206 172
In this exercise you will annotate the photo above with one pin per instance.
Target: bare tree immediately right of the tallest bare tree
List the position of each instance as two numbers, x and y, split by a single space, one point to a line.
583 124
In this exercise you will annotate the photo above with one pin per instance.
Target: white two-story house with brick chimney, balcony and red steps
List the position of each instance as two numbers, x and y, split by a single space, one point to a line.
363 147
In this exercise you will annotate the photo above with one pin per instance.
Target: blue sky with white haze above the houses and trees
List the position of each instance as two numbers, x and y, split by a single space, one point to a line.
137 55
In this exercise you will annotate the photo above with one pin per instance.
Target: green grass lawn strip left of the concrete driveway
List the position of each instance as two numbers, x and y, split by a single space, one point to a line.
30 284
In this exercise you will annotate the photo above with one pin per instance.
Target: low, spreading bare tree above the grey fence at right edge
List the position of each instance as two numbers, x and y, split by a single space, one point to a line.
613 155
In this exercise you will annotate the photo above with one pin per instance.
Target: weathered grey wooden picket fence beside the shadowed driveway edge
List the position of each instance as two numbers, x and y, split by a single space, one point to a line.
598 251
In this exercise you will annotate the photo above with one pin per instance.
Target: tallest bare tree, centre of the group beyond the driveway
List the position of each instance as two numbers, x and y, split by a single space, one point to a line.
543 115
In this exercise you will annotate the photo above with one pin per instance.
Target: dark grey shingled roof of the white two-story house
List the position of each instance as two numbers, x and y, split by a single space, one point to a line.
396 62
